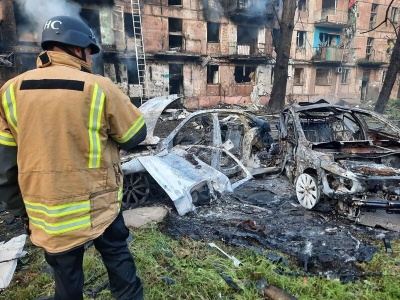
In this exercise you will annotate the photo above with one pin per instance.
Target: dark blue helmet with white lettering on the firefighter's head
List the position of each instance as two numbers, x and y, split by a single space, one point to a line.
69 31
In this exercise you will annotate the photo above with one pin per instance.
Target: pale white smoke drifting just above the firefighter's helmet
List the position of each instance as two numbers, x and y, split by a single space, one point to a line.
39 11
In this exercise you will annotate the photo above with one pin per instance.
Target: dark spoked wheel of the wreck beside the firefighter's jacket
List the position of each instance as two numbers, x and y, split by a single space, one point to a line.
136 189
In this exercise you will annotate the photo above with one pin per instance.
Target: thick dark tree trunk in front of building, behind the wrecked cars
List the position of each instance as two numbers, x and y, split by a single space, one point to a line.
278 93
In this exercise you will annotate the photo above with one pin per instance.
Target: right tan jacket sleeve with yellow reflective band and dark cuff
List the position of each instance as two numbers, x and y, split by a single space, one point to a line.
126 123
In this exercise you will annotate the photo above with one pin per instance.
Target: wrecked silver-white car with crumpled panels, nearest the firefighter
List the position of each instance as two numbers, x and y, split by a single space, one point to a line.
208 153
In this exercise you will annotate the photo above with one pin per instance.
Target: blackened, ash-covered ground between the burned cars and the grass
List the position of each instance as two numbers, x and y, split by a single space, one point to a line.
264 215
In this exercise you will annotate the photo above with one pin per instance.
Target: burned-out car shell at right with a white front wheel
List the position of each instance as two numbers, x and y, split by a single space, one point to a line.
349 156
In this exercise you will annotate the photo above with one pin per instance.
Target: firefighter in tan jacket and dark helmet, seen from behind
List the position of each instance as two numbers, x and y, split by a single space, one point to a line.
61 128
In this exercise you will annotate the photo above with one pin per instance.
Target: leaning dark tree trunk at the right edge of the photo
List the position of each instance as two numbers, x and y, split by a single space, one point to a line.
390 78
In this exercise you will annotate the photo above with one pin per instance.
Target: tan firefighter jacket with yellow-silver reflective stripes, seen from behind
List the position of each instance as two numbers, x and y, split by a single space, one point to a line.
64 125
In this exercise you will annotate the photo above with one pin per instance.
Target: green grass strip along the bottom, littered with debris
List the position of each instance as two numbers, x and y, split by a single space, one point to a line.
187 269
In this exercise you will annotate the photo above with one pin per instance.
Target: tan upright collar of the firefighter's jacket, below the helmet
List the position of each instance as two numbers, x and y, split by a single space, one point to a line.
48 58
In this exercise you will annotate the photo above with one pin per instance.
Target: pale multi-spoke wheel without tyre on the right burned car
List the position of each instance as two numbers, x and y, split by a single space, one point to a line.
307 190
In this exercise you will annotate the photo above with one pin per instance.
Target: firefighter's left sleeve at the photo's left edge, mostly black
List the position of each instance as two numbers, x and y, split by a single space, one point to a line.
10 193
